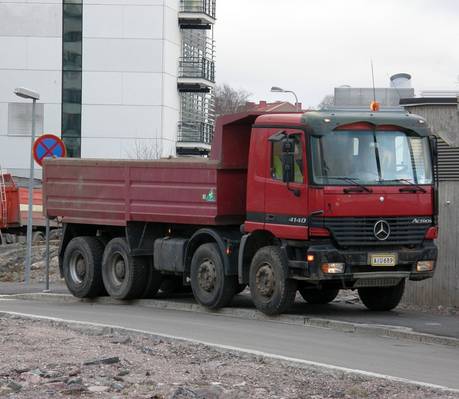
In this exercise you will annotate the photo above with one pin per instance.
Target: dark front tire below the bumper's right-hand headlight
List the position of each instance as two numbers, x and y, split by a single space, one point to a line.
382 298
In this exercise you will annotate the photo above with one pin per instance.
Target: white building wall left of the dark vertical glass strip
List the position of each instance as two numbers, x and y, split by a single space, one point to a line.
30 56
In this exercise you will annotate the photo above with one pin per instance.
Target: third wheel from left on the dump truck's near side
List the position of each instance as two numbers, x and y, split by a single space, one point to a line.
211 287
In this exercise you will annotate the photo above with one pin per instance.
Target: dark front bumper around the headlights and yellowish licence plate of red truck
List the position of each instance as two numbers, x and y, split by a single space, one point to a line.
358 272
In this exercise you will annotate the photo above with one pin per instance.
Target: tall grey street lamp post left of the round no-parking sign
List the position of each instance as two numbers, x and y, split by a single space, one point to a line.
34 96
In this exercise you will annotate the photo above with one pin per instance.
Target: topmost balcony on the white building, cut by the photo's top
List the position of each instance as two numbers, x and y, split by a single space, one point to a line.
197 14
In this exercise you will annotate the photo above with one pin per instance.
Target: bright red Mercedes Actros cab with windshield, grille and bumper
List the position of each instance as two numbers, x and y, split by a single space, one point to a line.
350 196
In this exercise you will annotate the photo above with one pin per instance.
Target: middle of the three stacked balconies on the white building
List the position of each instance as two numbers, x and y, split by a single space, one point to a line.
196 74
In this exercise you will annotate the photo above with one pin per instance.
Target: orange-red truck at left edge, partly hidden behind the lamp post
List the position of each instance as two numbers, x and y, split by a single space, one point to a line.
14 211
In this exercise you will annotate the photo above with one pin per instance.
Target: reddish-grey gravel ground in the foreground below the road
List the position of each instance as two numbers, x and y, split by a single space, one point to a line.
42 359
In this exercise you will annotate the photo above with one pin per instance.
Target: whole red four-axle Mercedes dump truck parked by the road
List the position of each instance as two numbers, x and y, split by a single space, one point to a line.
315 202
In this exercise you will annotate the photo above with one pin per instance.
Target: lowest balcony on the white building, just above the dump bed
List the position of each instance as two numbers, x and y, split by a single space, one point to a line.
194 138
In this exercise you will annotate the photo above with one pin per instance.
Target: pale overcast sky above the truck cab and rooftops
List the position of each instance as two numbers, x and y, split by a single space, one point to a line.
312 46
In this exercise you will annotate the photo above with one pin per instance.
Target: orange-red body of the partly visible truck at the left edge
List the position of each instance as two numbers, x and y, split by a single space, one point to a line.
17 199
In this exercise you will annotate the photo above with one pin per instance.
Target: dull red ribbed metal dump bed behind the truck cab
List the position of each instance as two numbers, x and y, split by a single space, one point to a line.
113 192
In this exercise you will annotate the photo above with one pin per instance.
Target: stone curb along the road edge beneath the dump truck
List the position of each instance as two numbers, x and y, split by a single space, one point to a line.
398 332
